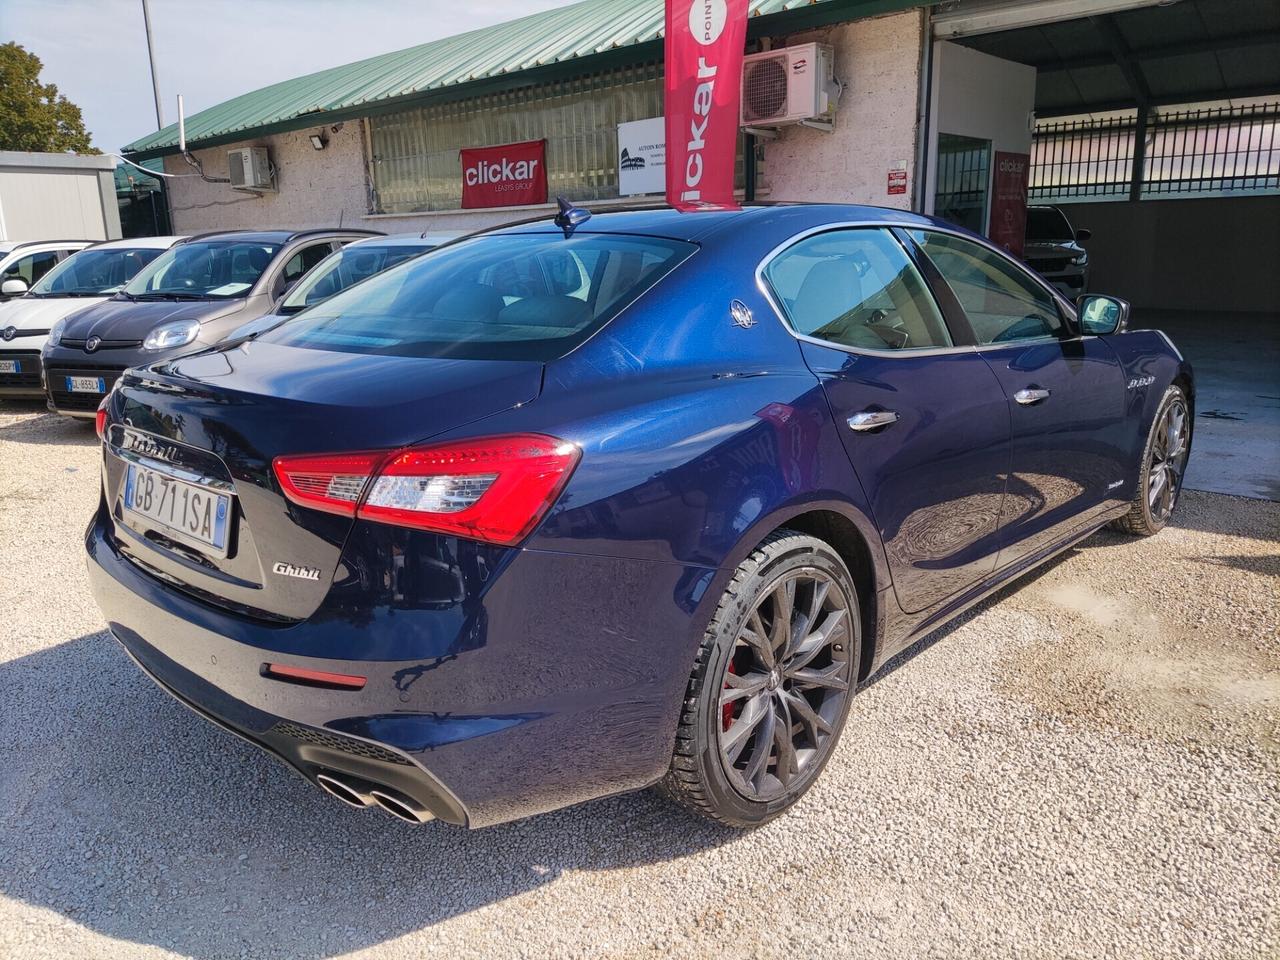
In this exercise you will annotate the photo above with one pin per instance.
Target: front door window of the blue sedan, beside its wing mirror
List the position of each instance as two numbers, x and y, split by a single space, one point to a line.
1003 304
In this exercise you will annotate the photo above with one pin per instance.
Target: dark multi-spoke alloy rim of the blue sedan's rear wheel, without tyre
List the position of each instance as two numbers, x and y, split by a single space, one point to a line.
785 685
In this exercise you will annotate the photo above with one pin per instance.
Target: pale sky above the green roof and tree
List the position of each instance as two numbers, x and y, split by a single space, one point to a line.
212 51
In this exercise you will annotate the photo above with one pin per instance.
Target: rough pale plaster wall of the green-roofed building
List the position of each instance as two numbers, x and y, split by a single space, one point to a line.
877 60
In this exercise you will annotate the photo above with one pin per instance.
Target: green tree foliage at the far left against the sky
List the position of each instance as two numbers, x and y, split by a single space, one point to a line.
34 116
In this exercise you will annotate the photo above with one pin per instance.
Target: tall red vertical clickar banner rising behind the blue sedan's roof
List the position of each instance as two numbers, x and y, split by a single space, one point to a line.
705 45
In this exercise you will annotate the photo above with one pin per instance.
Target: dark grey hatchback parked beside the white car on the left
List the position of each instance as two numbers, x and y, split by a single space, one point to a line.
194 295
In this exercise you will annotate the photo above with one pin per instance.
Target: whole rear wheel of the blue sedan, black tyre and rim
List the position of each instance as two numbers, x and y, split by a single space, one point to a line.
802 697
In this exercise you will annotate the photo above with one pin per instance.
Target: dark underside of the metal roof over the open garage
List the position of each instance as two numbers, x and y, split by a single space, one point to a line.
1118 54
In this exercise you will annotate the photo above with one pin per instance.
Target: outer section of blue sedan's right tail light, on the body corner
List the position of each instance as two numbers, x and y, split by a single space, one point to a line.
495 488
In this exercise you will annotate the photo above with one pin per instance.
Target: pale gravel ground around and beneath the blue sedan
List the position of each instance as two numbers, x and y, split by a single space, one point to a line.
1086 767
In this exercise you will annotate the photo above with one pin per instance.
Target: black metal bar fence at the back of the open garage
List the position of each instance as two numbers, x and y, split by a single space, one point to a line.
1208 152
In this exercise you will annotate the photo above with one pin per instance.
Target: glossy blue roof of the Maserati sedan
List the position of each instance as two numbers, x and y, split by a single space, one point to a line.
666 222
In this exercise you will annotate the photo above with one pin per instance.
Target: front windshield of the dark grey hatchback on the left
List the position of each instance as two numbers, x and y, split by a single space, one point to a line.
204 271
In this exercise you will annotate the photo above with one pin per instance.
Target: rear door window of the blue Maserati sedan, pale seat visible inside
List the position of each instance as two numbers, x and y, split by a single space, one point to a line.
857 289
